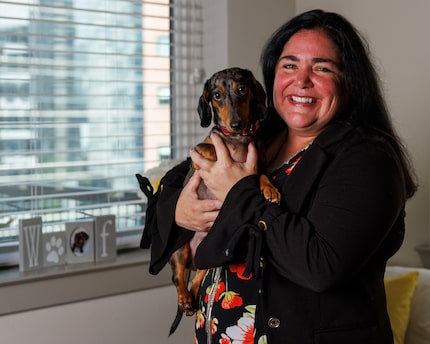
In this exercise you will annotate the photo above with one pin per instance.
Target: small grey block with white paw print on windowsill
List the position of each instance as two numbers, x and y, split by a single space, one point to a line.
54 249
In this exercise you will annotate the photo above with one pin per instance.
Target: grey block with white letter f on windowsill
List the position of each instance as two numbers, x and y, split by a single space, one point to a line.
105 234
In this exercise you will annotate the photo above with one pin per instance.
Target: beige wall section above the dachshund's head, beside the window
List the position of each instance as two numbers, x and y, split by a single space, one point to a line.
236 31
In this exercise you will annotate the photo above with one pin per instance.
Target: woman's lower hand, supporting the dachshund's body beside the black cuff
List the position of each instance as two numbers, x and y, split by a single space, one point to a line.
192 213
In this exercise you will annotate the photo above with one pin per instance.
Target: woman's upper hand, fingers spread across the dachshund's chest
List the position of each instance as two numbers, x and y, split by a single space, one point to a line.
220 176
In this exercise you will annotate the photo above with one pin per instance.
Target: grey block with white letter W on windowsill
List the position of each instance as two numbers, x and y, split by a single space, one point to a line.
30 244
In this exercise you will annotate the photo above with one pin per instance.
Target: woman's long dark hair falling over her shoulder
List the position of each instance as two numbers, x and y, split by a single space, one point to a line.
366 105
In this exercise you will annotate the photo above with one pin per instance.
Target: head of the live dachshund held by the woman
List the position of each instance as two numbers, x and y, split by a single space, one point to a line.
235 101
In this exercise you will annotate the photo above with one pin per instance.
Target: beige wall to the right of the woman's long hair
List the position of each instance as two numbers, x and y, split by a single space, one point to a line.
397 32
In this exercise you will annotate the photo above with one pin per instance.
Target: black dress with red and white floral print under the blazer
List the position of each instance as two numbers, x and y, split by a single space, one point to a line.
228 312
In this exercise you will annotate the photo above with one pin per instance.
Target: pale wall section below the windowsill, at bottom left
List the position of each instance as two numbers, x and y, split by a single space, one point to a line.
142 317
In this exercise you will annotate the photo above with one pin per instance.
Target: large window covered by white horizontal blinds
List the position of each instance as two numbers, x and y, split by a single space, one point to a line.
85 103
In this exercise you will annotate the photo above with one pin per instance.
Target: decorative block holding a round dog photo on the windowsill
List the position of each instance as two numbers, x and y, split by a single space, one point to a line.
80 241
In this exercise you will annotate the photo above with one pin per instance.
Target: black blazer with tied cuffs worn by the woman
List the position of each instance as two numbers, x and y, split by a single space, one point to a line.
326 245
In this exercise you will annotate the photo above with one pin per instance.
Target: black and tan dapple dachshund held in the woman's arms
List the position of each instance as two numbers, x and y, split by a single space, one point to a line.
235 101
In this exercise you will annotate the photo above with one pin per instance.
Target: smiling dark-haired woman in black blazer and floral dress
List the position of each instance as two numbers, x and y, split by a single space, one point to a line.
308 270
